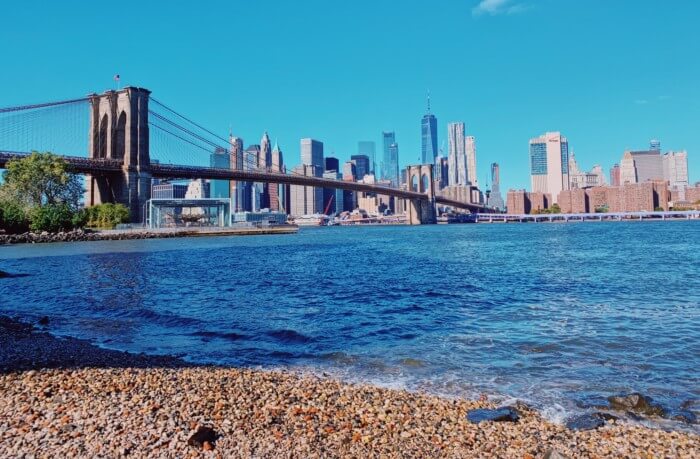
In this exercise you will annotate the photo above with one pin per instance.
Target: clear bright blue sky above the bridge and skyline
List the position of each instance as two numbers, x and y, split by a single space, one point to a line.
609 75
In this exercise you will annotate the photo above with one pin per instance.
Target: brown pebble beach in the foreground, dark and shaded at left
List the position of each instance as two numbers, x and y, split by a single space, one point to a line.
66 398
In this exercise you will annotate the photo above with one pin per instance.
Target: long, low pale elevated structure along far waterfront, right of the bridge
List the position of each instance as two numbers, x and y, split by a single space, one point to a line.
602 216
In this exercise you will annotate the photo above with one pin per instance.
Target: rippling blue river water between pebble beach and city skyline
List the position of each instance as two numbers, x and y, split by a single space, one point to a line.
557 315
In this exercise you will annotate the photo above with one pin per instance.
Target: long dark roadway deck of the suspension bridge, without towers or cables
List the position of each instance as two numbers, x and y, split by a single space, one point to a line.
170 171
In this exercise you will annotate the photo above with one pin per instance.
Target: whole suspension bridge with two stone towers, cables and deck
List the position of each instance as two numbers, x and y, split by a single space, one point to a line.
121 140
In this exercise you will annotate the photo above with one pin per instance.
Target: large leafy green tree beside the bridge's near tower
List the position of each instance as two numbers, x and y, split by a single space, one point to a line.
41 179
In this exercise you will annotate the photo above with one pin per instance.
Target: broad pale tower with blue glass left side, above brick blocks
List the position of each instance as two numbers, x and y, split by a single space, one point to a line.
549 164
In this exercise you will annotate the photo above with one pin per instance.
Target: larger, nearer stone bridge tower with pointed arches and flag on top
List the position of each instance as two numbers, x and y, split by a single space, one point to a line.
119 131
